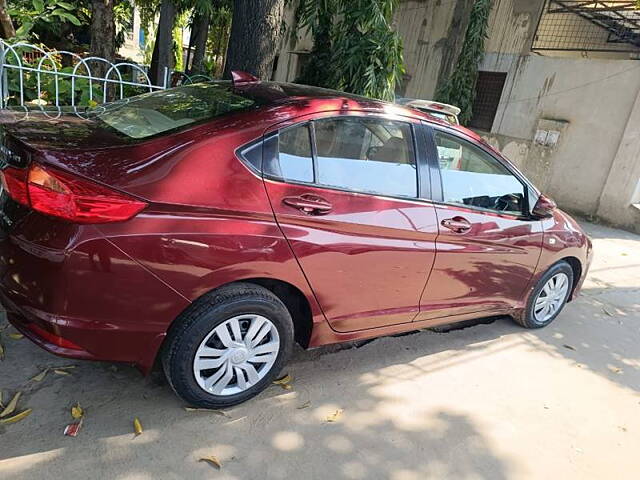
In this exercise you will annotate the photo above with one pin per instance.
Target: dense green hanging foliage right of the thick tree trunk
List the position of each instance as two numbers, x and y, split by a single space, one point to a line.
355 48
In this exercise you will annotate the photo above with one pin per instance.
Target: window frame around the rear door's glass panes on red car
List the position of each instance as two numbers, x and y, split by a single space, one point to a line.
423 179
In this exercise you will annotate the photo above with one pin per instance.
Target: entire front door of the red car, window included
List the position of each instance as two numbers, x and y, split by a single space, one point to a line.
487 246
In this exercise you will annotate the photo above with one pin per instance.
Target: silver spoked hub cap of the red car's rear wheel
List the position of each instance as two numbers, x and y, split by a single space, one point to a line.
236 354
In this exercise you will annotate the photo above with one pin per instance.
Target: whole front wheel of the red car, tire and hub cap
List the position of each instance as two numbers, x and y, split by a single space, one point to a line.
548 298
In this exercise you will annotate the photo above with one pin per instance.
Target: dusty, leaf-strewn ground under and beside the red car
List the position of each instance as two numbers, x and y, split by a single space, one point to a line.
491 401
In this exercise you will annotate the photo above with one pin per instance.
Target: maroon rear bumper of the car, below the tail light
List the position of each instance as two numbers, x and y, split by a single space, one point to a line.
84 298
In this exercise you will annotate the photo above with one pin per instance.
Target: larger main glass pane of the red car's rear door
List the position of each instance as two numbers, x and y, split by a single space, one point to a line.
366 155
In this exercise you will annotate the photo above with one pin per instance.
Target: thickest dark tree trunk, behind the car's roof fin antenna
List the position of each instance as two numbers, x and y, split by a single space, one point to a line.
255 30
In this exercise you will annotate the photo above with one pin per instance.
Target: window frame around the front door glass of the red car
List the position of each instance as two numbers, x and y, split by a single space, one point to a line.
436 176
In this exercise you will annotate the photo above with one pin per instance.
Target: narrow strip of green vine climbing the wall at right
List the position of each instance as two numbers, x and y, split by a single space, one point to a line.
460 88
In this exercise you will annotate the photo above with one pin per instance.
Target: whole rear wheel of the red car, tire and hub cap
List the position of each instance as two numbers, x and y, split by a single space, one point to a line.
201 330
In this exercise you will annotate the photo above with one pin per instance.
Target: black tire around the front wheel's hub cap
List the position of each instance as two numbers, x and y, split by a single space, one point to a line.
531 316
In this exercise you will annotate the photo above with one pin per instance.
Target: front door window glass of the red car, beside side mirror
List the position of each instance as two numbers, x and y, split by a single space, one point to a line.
474 178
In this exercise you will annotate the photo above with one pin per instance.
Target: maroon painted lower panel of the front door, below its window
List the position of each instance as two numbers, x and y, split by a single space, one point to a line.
486 268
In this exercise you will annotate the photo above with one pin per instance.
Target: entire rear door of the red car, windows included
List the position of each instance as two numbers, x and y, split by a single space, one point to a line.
345 191
